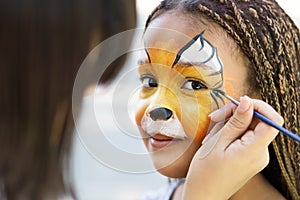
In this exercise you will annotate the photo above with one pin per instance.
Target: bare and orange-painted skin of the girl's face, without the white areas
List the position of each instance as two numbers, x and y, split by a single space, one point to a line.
190 105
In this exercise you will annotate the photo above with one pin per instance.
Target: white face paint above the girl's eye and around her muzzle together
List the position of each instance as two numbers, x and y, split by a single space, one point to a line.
198 52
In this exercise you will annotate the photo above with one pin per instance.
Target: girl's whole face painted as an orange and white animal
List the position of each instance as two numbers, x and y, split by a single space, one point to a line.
178 87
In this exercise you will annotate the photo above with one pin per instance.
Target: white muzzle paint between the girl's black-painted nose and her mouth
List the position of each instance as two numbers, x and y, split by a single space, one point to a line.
171 127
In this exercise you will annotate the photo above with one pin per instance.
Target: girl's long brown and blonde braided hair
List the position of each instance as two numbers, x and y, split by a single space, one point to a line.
271 42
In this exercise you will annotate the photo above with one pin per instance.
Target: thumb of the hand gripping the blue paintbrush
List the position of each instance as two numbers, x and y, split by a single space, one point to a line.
239 122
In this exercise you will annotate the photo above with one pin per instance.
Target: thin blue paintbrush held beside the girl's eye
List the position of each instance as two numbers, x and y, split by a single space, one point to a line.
264 118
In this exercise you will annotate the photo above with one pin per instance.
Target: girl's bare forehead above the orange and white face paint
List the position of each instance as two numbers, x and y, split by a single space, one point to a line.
177 28
